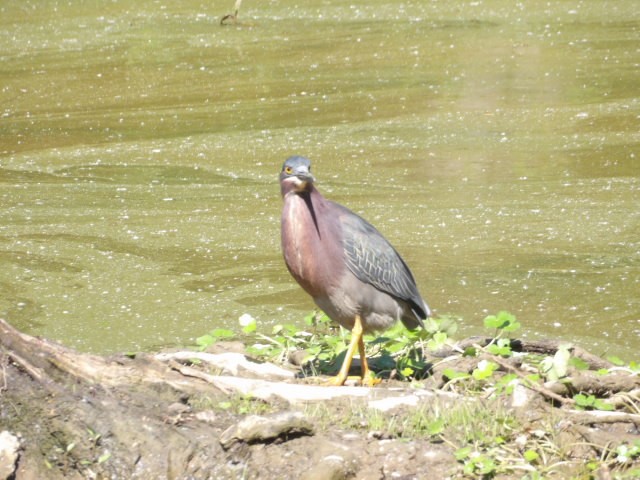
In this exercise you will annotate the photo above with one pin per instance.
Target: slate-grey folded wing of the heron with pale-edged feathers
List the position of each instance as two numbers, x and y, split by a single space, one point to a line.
372 259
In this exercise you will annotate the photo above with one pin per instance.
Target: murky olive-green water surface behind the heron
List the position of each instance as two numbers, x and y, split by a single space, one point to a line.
495 143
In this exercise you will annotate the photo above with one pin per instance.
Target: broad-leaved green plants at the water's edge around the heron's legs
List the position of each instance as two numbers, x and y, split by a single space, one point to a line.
402 353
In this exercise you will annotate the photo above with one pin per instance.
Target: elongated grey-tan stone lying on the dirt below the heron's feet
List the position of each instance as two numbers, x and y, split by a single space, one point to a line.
263 429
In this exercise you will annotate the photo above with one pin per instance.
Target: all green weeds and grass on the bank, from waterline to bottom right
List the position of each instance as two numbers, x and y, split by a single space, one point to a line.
488 439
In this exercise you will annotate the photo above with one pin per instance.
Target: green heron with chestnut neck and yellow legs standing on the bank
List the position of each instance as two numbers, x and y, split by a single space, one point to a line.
350 270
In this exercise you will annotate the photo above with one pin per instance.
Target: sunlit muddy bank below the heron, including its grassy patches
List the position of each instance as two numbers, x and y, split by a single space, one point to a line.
172 415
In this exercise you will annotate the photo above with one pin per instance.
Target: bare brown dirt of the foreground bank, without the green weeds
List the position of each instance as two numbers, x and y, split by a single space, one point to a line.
78 416
